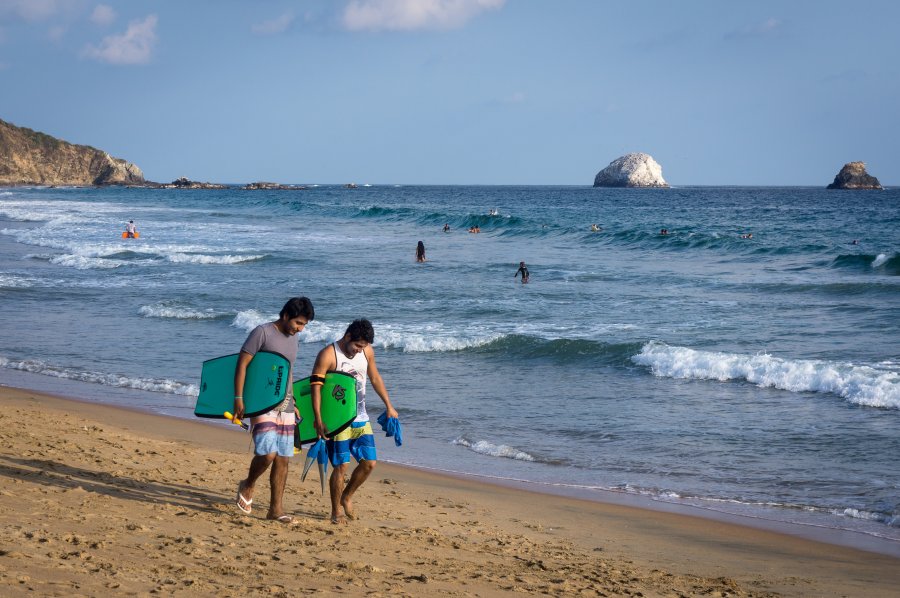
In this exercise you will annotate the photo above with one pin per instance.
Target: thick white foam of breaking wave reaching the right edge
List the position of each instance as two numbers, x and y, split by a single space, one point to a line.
859 384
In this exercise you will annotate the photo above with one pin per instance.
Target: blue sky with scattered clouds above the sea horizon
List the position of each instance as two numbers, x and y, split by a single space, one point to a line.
507 92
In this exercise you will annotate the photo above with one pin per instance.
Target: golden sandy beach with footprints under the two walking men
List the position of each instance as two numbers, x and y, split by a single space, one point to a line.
97 501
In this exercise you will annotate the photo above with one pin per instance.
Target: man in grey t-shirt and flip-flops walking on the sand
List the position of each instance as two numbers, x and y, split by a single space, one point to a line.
273 431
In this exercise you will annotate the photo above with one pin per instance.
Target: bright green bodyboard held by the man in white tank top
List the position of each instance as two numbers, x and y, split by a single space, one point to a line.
338 406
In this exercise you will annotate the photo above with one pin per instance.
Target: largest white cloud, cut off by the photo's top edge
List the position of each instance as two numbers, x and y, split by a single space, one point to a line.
407 15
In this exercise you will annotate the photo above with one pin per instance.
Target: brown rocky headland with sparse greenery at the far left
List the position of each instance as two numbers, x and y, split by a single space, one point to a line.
30 157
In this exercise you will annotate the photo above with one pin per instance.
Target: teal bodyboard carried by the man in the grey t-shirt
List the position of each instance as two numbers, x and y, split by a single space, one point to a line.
265 386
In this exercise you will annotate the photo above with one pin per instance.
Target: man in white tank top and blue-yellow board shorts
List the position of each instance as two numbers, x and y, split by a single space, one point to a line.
351 354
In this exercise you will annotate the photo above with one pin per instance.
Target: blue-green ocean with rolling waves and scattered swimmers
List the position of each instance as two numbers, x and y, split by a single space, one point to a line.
756 377
